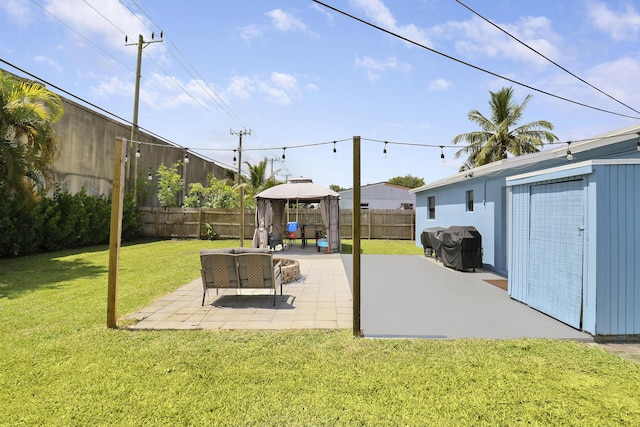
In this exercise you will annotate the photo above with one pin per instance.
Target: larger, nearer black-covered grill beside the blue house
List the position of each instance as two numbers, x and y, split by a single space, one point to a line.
460 247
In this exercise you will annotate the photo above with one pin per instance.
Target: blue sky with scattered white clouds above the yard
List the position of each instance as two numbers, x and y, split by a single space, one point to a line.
297 73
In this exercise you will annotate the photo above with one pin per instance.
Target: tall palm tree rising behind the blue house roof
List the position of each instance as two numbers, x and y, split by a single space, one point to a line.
501 136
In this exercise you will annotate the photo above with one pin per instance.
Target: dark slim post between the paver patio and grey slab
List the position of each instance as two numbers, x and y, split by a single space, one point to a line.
355 232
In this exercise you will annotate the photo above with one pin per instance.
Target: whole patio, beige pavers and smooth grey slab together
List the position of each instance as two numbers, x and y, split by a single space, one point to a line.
401 296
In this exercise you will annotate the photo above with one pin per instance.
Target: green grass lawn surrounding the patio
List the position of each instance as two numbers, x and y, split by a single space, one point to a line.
60 365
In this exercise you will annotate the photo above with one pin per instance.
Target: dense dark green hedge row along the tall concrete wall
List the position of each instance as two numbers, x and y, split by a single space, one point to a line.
62 221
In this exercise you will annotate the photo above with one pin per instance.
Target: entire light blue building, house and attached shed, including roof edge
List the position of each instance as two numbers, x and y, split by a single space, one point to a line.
515 201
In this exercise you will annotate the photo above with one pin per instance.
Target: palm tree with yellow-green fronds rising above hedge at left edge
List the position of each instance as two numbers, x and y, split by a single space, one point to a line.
28 144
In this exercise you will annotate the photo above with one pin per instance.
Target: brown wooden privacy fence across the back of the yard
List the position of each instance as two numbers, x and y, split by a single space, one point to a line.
225 223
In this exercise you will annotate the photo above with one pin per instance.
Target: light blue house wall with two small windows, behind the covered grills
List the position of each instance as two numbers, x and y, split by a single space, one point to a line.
488 215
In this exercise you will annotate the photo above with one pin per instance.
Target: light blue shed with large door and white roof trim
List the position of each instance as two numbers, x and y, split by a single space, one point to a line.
575 244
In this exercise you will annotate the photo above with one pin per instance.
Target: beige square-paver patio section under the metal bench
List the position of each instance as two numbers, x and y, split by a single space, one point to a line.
320 299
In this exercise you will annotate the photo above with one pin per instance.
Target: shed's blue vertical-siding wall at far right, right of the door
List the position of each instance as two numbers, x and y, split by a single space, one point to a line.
618 249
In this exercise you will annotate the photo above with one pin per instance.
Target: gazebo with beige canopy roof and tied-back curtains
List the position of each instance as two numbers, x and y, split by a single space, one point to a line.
270 210
